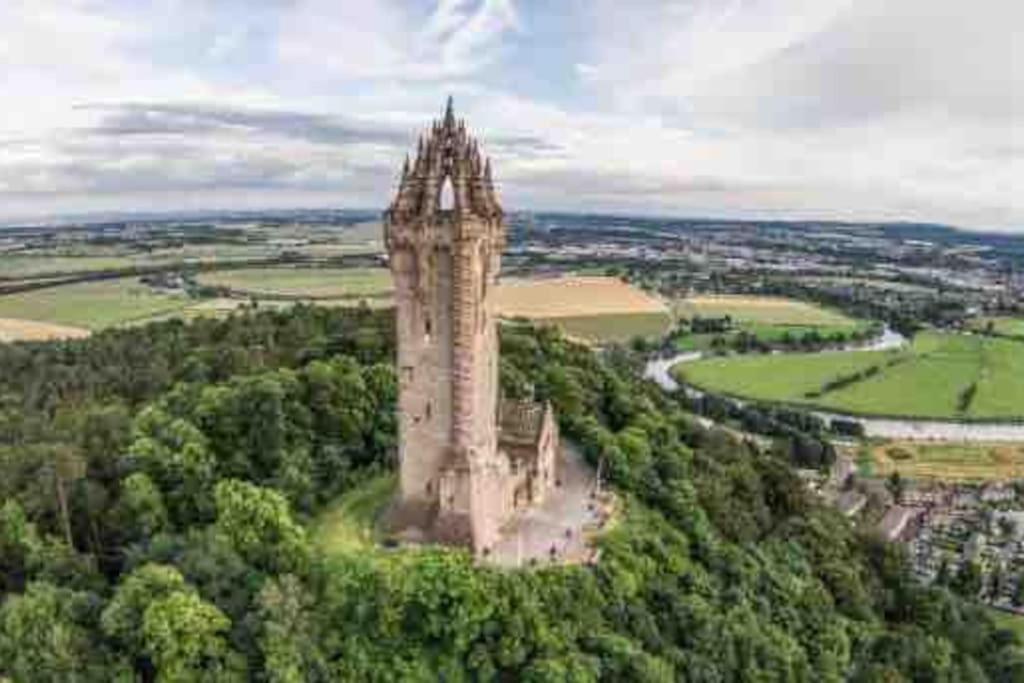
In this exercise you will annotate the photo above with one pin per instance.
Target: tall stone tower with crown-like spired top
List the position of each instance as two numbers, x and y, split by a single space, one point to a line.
445 234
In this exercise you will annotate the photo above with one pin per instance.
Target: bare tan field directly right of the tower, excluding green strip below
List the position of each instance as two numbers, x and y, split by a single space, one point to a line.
574 297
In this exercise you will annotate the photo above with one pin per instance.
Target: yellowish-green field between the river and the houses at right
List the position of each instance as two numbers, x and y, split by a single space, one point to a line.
950 461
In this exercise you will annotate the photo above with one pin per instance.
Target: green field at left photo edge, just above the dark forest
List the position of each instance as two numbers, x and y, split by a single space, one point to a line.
93 306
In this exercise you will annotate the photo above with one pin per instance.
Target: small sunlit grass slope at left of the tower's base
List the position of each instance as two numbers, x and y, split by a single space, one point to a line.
348 525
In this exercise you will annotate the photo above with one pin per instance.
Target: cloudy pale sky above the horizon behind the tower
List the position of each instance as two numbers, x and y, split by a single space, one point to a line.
904 110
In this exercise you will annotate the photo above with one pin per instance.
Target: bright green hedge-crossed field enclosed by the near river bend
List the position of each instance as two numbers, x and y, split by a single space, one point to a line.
941 376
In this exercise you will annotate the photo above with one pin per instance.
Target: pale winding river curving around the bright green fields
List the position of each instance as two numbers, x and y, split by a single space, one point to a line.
659 370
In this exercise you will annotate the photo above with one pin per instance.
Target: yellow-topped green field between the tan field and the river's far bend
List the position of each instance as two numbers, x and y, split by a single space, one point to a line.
770 319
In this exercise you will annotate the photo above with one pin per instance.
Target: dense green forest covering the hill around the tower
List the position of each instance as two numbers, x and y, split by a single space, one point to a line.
157 485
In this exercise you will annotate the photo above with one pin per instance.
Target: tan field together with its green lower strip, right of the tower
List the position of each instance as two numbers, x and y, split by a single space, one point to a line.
595 309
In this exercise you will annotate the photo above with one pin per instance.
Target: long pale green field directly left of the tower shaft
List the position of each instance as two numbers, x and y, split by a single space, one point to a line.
304 283
